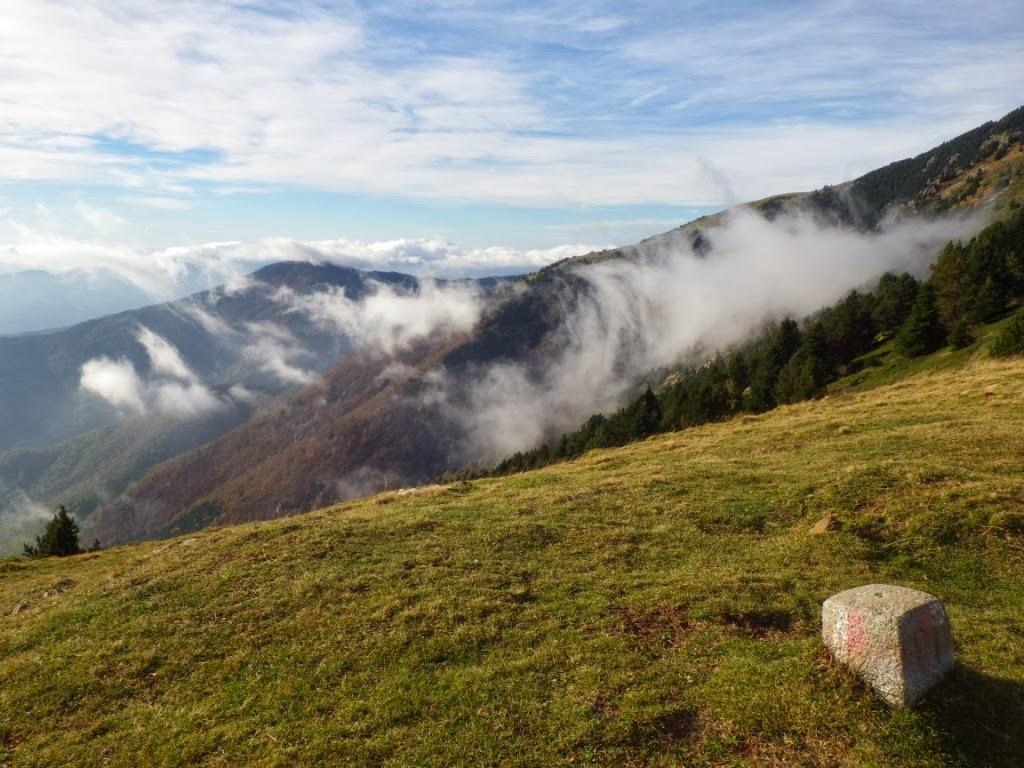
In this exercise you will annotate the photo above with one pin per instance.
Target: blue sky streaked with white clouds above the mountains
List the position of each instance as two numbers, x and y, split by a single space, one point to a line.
161 138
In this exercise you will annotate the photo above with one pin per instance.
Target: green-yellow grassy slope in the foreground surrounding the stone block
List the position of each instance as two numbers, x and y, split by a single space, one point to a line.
652 606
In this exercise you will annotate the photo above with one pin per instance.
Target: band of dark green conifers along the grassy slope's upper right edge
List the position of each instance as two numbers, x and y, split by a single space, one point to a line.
970 285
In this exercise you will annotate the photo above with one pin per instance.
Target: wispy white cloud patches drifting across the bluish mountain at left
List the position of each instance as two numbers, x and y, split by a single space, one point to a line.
386 318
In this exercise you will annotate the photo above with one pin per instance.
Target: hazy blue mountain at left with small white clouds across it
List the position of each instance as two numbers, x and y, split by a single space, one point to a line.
169 378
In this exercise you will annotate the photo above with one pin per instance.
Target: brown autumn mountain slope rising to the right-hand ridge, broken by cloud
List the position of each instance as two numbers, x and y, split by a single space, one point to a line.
332 438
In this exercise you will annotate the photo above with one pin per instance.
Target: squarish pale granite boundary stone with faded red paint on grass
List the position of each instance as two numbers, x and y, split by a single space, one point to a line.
898 639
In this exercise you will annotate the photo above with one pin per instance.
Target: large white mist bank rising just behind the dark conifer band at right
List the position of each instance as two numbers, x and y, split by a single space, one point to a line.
666 306
